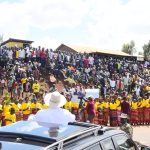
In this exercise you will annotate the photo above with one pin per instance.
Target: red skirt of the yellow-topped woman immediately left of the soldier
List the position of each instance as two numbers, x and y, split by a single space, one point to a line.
113 118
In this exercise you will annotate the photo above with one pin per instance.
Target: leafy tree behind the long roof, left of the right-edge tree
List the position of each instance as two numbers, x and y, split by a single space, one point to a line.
129 48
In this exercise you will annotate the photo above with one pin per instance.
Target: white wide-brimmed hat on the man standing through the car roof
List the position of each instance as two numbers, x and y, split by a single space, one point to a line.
54 99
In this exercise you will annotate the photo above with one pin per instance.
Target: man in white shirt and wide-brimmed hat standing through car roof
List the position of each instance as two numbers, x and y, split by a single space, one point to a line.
54 116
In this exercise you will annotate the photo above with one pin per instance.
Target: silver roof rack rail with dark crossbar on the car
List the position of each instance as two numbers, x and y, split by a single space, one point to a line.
91 130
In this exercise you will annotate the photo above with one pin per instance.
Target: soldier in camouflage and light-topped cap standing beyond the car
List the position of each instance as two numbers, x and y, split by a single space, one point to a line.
125 126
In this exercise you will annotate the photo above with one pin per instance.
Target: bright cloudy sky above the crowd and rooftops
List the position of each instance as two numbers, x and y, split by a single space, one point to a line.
106 24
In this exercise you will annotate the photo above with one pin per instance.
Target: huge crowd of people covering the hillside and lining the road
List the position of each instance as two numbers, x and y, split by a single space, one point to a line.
123 83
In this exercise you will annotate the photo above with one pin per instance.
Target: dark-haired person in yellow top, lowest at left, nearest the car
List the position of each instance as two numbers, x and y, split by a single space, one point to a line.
10 117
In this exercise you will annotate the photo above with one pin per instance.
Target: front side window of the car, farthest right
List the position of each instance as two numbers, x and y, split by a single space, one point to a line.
124 143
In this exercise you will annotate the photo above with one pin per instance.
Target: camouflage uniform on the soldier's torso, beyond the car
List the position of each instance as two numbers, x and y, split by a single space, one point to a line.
127 128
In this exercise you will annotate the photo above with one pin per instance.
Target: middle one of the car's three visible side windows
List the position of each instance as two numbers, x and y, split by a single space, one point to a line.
107 144
